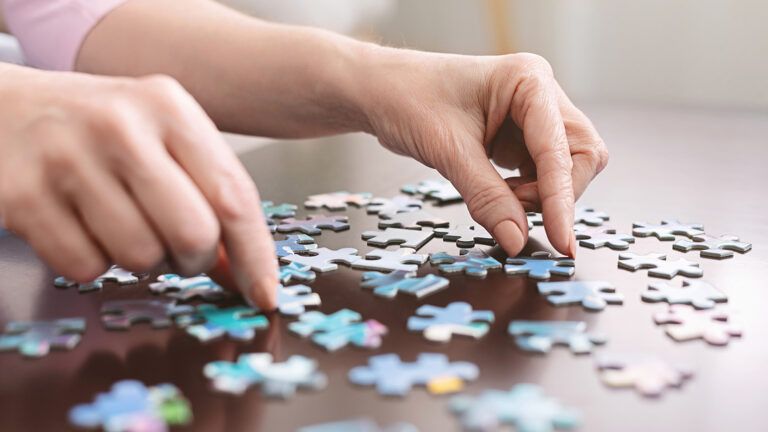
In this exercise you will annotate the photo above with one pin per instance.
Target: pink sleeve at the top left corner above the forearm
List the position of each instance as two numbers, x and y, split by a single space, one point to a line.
51 31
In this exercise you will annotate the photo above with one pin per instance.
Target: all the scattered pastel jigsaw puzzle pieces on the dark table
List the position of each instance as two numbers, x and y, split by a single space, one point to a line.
193 304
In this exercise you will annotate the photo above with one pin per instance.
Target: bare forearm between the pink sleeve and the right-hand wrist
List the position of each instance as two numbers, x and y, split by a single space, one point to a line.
250 76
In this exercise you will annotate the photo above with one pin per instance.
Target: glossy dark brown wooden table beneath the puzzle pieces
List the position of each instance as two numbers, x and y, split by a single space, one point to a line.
697 166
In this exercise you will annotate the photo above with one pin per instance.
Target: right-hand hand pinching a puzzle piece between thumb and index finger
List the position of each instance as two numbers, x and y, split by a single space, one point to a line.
454 113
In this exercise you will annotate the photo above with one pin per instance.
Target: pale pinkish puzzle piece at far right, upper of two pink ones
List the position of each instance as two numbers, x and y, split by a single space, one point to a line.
715 326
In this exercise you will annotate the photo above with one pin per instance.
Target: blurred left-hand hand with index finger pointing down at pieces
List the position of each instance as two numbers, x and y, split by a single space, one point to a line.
98 170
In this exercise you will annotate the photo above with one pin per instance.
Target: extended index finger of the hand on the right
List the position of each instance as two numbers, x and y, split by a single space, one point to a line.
535 109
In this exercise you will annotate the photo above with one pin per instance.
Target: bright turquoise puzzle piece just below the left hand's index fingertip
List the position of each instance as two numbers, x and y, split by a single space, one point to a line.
208 322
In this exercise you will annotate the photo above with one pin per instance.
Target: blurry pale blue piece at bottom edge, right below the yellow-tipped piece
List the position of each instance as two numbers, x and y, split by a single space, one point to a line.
524 406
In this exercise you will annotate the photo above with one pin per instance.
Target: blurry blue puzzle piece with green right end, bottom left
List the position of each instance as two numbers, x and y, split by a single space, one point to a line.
130 406
